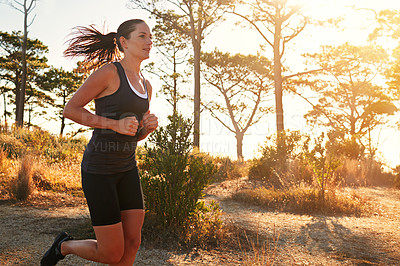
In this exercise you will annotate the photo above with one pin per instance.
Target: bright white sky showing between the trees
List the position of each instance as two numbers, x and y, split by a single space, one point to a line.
55 19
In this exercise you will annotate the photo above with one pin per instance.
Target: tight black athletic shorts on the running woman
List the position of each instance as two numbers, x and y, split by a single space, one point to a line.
109 194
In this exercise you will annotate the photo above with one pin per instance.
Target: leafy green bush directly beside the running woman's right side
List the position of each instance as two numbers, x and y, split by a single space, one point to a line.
173 178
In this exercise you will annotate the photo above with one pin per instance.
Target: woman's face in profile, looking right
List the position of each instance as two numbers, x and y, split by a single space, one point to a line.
139 44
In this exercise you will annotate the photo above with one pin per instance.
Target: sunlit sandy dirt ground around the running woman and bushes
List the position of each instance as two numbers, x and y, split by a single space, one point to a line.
28 229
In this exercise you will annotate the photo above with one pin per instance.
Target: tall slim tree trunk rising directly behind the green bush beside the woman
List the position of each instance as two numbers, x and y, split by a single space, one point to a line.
196 134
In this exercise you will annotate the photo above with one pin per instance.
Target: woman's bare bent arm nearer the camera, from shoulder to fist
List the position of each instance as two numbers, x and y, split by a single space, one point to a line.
102 79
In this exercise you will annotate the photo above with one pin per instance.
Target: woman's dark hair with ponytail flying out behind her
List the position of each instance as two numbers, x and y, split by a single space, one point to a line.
97 48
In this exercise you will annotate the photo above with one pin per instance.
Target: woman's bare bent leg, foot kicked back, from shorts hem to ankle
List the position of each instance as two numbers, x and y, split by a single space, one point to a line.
108 248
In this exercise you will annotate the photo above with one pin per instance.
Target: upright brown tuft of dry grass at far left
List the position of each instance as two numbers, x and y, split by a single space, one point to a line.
22 187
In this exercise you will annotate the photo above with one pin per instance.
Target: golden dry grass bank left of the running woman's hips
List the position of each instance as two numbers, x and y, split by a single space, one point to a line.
53 164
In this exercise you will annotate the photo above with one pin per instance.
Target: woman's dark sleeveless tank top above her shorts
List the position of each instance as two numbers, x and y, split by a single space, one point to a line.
109 152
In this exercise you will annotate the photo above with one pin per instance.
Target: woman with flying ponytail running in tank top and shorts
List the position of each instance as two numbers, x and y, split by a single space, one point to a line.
110 178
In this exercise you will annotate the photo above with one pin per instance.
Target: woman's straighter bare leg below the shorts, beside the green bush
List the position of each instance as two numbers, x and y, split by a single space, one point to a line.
132 221
